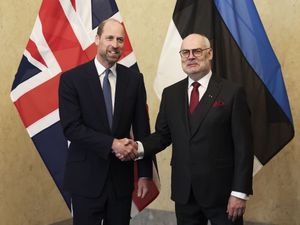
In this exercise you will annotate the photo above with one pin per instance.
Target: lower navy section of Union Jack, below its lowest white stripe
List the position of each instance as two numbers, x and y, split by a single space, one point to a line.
52 147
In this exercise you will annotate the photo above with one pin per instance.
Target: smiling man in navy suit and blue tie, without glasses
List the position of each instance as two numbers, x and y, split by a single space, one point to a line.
99 102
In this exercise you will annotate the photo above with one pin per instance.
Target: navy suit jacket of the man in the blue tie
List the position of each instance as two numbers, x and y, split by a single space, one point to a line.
83 117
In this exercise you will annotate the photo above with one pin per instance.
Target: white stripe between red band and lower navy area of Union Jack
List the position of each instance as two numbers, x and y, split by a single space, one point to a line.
43 123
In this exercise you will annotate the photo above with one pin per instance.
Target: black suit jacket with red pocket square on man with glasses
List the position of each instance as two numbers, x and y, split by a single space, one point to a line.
212 148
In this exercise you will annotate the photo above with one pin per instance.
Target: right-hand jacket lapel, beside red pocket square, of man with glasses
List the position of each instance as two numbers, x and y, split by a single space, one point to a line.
205 104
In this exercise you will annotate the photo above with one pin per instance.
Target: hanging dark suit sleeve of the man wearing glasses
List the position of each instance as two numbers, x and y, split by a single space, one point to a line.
243 146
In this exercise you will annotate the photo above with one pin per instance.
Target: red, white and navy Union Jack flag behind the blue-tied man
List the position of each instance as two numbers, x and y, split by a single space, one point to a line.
62 38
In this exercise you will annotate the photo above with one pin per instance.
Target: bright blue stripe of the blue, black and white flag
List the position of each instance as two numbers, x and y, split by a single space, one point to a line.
243 21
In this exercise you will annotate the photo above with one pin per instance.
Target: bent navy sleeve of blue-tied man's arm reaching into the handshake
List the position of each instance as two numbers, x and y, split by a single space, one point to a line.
73 126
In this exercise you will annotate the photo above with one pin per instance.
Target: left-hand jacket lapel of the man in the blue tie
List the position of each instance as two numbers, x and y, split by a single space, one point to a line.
96 92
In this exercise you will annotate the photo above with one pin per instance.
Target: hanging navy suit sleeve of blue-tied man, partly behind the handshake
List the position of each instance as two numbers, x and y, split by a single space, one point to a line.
141 128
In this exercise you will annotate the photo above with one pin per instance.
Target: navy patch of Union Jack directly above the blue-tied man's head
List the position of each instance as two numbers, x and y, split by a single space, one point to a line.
101 10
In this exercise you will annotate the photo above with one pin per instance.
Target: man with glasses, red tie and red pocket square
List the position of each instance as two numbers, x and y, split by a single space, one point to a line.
207 120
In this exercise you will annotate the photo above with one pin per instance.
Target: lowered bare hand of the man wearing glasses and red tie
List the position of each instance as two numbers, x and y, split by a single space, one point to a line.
236 207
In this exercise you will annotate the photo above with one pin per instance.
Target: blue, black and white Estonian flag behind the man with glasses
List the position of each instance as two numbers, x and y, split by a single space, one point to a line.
243 54
